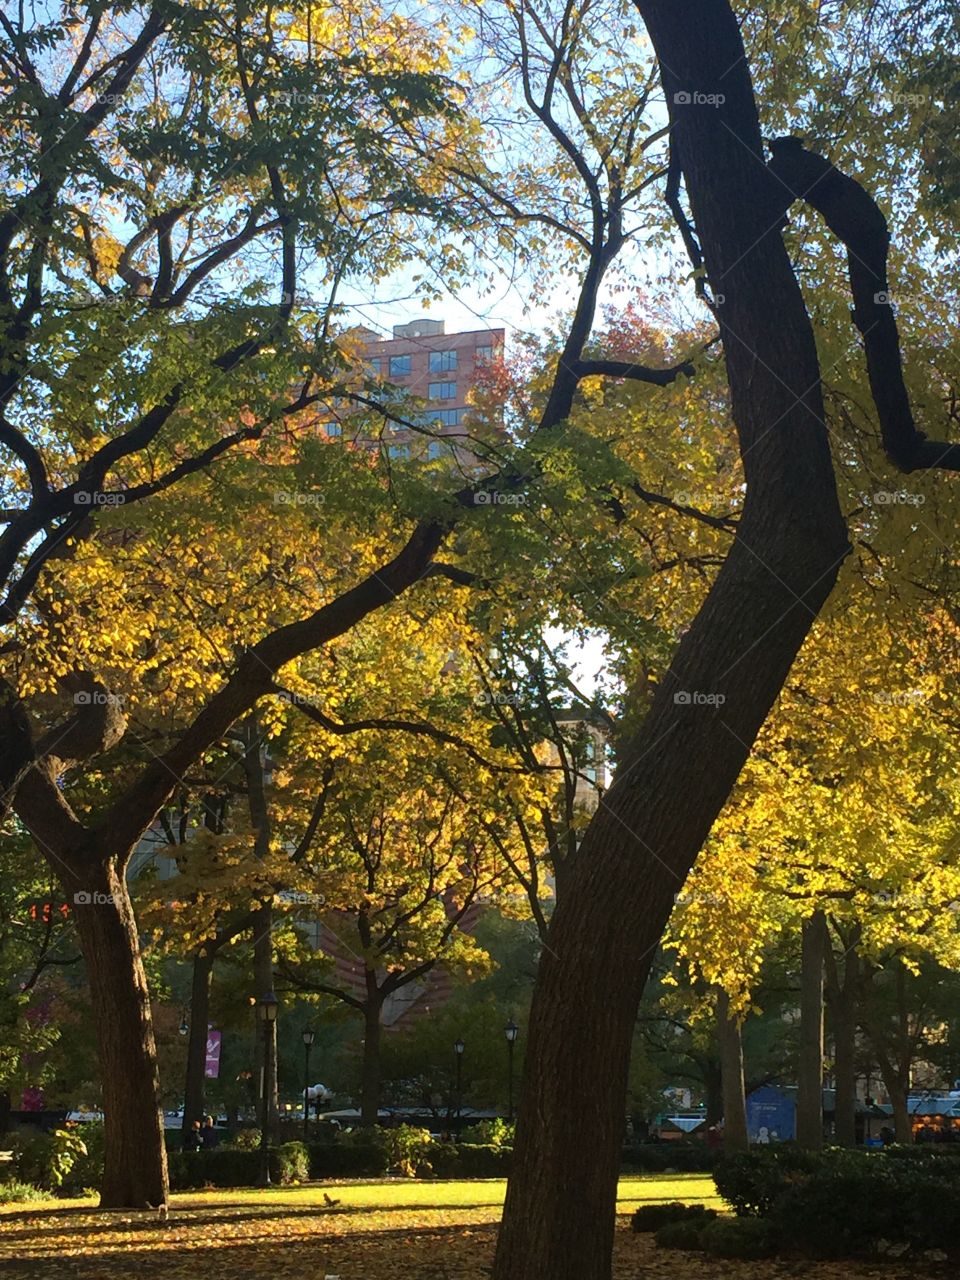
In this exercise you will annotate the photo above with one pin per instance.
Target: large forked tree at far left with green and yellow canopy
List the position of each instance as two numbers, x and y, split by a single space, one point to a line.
147 369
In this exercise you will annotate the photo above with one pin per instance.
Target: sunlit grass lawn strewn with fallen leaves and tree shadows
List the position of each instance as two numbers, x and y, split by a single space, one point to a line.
395 1229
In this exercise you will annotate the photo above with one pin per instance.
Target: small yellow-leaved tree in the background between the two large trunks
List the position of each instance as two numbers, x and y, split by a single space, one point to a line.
404 863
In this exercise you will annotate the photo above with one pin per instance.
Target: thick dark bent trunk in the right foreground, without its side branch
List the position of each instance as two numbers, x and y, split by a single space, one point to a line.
680 769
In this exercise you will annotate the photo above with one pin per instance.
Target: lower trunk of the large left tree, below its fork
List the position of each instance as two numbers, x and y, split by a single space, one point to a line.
135 1156
